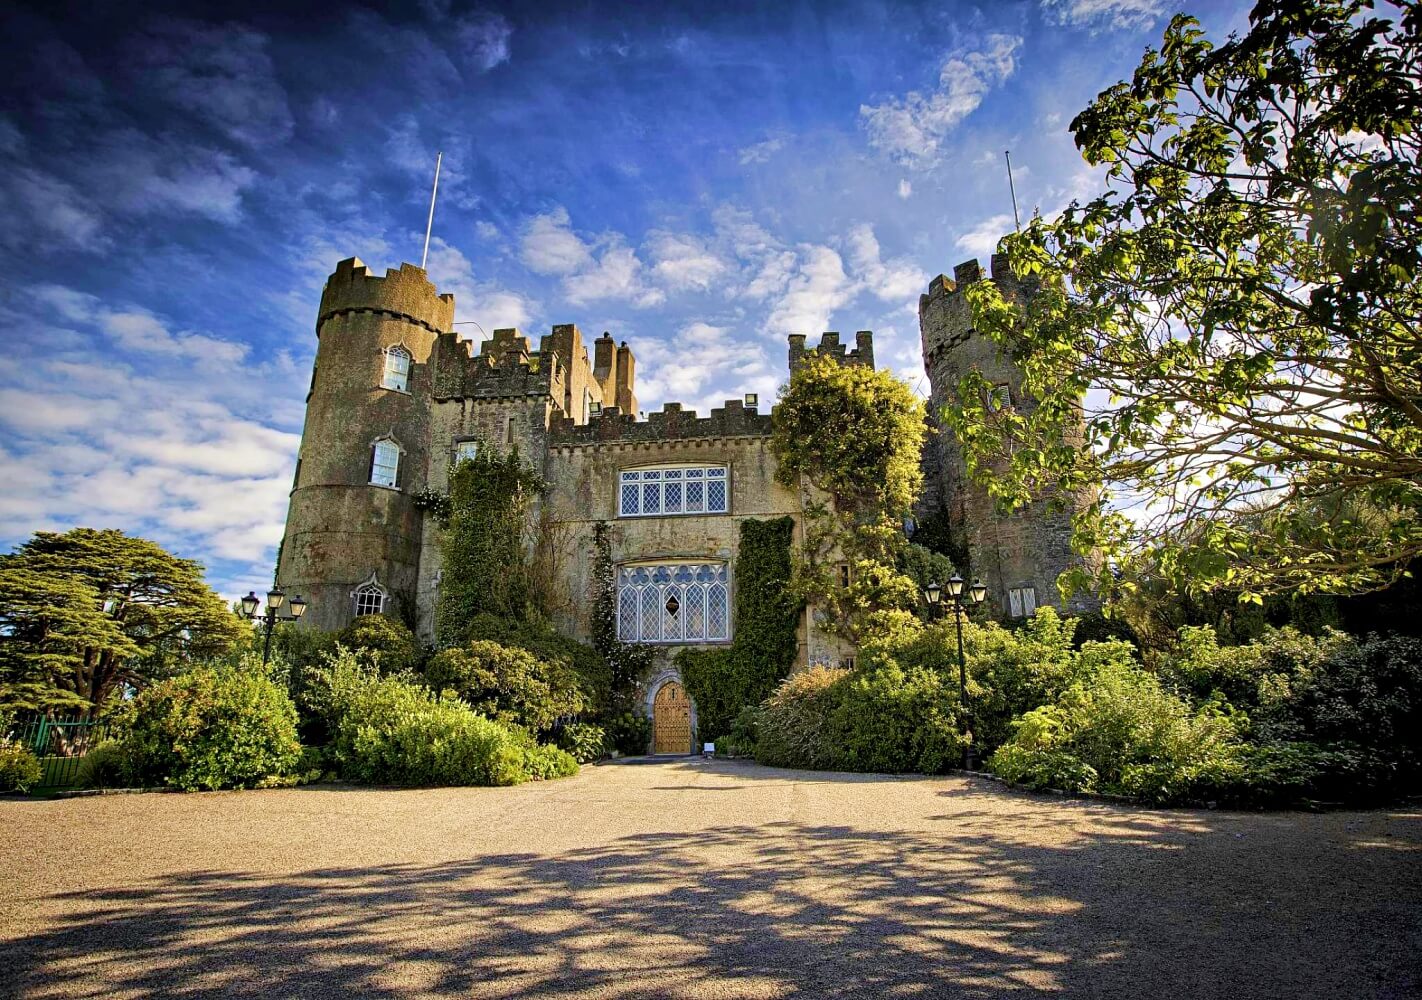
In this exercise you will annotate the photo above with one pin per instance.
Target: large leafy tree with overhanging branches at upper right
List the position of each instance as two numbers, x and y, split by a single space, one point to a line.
1235 324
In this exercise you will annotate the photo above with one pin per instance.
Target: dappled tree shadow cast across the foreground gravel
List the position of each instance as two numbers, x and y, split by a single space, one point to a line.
1138 904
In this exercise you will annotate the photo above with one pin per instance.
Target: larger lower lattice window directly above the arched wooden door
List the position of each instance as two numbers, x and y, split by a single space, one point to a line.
673 604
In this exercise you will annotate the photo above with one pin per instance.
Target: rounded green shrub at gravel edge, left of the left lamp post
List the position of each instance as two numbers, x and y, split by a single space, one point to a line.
211 729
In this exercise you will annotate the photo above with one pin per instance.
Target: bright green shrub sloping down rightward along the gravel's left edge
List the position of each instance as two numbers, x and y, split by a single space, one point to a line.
389 730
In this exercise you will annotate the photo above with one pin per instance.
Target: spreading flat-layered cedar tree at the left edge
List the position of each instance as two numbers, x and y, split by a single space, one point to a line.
87 611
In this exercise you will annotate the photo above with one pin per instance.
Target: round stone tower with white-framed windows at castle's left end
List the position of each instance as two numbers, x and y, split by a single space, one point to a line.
353 534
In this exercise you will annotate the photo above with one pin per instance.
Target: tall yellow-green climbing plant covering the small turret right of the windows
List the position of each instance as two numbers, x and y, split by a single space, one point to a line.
855 435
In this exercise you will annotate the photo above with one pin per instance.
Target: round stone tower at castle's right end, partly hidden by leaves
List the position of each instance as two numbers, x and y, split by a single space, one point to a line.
1019 557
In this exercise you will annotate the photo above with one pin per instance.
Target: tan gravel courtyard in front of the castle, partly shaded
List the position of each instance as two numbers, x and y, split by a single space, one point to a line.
702 880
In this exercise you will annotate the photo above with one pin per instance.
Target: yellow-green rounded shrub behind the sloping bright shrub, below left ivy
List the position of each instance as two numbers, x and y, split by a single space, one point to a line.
507 685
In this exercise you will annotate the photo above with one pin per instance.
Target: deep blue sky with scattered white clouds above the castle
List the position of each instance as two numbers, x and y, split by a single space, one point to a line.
176 184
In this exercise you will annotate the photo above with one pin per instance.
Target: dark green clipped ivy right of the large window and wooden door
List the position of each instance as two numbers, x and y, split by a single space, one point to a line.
723 682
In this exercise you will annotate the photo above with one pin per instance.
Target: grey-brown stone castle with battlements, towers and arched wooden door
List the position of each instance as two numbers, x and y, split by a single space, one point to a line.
397 398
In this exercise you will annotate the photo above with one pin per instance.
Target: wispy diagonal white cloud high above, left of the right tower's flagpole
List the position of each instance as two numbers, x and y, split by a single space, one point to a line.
912 129
